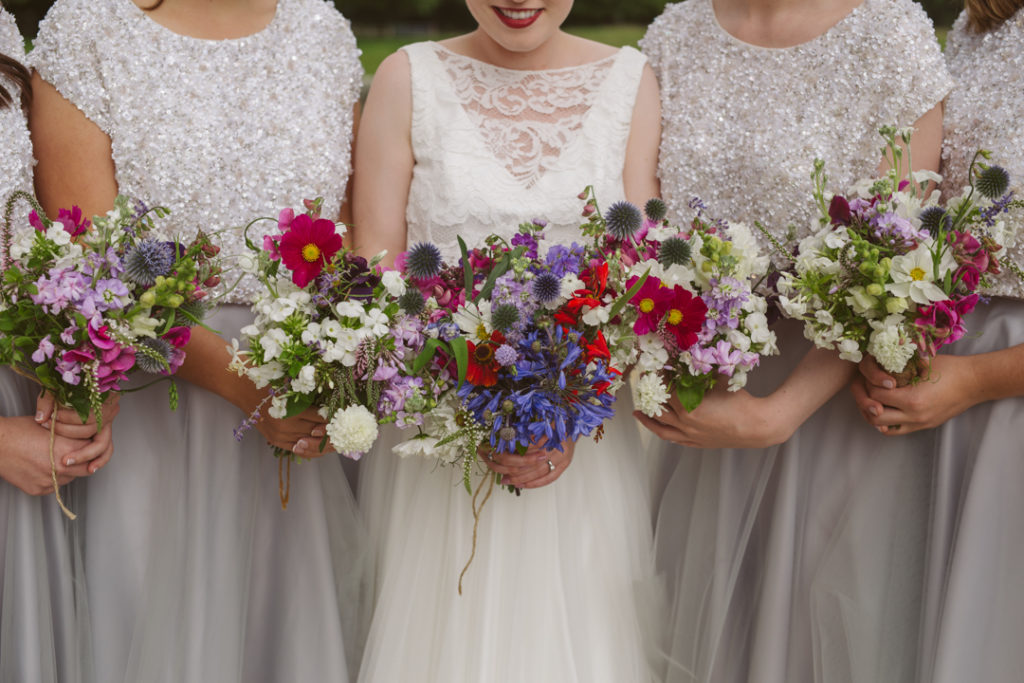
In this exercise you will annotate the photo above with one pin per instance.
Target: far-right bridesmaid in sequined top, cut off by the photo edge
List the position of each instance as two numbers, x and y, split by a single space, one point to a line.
974 608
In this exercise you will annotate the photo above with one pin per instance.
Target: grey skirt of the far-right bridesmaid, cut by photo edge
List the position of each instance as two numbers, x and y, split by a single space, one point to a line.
974 610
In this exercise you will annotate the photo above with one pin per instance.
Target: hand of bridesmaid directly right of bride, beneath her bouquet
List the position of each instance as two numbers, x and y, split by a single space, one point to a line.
723 420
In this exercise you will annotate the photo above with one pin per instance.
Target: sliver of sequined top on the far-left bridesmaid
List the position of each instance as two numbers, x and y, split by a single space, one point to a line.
16 147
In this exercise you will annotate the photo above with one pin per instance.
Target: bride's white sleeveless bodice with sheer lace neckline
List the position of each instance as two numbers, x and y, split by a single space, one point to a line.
495 148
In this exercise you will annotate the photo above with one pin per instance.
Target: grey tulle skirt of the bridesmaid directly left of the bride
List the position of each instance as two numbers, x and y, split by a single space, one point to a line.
195 572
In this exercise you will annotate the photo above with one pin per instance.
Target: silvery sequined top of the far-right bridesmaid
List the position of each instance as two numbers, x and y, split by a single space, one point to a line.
987 110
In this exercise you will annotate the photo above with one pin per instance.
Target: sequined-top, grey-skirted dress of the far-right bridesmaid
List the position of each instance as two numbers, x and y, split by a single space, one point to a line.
974 609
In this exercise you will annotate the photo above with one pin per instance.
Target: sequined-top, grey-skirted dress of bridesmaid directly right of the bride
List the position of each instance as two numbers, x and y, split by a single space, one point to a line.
803 562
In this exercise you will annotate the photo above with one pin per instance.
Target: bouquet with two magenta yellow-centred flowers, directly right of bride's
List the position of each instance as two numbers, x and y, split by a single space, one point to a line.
697 317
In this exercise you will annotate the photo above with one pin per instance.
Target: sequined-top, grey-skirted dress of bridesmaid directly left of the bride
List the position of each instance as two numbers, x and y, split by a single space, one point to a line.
195 572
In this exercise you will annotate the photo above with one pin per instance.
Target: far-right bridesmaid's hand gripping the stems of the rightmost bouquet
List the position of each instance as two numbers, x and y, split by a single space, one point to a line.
952 389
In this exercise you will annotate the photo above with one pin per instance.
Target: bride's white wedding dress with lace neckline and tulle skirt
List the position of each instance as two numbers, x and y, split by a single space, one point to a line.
550 596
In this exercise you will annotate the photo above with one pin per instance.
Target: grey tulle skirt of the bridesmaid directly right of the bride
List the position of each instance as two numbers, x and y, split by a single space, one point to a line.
801 563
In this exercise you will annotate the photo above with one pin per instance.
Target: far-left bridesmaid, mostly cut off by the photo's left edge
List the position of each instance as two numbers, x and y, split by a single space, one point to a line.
44 616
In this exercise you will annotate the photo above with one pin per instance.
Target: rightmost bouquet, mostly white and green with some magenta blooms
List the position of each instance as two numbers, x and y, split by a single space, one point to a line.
891 273
